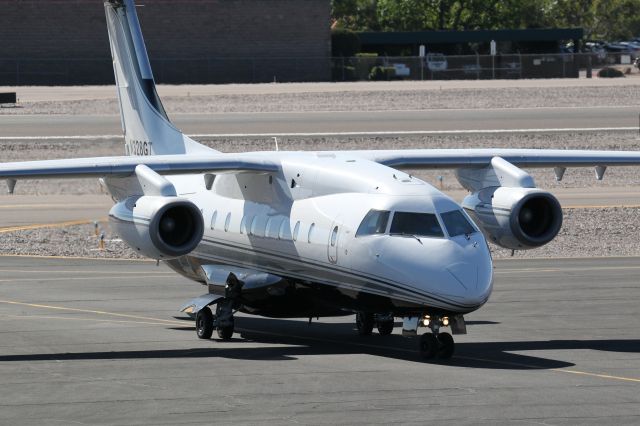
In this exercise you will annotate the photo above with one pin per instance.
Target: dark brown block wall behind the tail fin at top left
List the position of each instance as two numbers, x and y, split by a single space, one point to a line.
189 41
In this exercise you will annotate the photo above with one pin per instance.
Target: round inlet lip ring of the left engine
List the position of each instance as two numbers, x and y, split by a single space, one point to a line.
191 243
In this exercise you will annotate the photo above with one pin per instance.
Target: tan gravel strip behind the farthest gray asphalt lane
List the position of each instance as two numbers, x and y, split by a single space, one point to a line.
445 98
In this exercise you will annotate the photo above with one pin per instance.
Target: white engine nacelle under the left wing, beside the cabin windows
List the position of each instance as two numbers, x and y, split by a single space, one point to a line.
158 227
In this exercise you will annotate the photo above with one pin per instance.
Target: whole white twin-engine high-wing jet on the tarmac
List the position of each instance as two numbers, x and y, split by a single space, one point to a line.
313 234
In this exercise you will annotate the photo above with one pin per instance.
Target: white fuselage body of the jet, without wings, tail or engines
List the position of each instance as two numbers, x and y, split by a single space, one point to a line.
301 224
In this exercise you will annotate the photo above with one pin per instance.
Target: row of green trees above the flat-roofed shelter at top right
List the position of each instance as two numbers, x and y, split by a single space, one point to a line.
607 19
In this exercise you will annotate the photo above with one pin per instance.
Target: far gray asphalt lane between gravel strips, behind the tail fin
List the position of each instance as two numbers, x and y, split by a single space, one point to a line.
335 122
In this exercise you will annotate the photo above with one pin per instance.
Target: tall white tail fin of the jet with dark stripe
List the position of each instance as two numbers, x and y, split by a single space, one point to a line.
147 129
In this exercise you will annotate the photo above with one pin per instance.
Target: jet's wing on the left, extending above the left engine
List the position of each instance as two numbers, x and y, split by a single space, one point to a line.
125 166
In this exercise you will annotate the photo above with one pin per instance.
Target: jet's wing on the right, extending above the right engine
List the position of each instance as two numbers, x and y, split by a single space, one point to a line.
470 158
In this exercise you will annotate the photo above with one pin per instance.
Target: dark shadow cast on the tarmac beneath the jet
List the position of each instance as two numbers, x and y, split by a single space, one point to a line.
291 339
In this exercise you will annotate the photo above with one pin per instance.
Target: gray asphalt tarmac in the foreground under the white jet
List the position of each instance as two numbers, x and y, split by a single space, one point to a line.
95 342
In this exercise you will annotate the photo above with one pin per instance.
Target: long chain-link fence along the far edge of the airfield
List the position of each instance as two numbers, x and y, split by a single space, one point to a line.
16 72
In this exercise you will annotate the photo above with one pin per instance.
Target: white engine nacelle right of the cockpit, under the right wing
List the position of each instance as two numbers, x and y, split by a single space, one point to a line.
515 218
